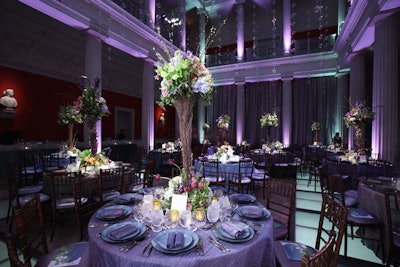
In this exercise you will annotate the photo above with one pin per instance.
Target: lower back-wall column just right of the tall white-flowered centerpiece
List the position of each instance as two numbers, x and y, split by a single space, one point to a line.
287 110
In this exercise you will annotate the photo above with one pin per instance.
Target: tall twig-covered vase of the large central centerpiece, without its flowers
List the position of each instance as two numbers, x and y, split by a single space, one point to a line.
184 108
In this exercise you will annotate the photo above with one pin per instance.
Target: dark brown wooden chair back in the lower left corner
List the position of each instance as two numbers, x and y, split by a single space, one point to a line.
31 229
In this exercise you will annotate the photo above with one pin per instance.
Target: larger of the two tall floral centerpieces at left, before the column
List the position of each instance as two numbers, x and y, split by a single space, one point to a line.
92 108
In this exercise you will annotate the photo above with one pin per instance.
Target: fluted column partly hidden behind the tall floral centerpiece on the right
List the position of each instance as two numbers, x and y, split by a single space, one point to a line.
357 88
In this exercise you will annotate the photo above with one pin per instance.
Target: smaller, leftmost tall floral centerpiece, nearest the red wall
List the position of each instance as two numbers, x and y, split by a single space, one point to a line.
67 115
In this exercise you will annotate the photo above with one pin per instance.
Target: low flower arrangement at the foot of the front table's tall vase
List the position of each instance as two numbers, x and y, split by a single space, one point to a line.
196 188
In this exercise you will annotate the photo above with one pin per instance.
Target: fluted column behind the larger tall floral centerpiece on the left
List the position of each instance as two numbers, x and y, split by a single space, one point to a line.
93 69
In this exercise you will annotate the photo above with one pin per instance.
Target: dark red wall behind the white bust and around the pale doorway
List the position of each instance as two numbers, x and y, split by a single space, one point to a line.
39 99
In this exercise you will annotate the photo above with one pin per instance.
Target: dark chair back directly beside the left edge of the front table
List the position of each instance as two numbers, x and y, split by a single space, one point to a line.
86 205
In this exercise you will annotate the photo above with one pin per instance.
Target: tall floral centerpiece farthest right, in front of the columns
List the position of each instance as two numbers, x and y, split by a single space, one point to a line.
357 117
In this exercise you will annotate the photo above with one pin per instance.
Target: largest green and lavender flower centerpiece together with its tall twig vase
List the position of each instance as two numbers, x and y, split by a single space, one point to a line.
184 80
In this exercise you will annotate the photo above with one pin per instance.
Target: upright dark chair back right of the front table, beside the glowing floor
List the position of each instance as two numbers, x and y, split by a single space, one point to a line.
281 197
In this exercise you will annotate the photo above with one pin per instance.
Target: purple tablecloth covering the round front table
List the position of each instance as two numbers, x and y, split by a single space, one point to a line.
259 251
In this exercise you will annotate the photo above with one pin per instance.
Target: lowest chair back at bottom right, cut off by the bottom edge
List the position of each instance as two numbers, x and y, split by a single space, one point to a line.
323 257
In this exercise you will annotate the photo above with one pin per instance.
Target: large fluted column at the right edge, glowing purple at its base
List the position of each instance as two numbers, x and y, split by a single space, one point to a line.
385 96
